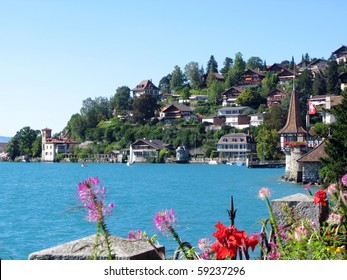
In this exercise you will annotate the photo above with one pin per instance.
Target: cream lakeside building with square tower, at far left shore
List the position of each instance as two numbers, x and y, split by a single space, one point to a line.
53 146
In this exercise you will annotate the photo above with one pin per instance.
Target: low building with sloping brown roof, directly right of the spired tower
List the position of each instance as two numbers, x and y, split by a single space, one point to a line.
311 163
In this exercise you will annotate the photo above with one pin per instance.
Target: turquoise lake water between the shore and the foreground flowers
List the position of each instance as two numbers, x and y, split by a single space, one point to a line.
39 207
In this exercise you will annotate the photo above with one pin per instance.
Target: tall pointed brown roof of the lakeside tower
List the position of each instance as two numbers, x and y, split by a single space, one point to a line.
294 122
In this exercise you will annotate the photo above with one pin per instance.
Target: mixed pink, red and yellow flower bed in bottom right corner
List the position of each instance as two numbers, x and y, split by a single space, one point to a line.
305 239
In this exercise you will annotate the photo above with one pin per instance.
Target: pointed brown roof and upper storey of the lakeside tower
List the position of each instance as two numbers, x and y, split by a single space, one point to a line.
293 130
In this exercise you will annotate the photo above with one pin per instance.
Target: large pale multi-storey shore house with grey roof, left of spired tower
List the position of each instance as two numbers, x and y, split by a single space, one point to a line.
236 146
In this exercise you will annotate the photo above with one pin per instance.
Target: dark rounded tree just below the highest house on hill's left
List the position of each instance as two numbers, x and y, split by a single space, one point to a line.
144 108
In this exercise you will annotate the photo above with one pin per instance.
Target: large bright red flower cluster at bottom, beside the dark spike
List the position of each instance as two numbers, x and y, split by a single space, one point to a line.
229 240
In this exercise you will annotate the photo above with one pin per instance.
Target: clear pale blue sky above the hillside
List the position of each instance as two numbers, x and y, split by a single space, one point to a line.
56 53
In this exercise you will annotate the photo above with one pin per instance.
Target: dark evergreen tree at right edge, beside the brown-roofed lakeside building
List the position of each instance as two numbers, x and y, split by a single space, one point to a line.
335 164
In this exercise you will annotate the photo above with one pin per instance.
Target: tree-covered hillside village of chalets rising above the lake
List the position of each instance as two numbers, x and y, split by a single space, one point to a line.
236 114
